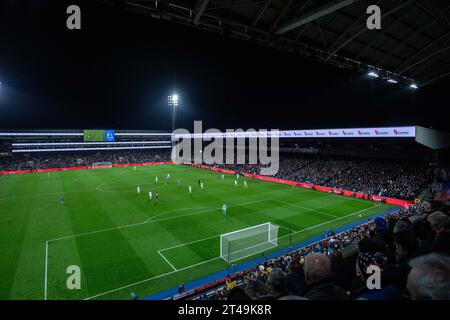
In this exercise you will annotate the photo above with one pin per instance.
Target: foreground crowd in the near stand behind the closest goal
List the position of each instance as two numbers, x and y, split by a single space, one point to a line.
411 248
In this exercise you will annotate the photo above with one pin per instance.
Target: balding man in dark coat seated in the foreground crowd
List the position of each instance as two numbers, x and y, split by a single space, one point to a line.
318 276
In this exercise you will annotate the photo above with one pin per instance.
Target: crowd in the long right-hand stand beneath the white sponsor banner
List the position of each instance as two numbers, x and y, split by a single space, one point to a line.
374 177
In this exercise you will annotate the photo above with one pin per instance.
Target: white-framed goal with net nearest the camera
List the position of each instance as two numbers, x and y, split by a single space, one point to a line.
242 243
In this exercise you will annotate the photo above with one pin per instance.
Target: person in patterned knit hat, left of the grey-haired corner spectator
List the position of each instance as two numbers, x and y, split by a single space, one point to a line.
386 291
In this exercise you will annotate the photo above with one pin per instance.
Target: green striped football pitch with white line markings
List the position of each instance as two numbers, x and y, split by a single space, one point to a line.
125 243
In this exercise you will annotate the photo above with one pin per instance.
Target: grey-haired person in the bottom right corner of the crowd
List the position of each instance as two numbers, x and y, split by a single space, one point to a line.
429 278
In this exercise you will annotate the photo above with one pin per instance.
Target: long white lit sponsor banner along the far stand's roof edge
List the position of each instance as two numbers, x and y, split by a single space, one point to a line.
389 132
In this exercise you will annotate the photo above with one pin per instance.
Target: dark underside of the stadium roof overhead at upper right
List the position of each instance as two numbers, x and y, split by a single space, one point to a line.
414 40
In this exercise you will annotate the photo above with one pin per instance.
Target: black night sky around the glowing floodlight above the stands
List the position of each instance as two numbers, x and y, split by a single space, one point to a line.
117 73
